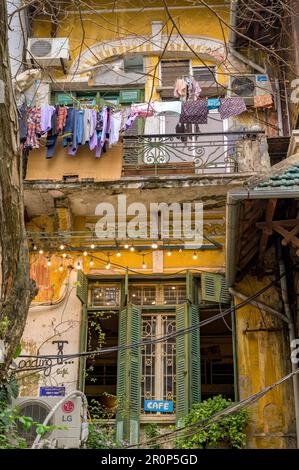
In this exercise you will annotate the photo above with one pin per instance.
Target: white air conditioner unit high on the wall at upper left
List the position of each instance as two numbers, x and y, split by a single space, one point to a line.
48 52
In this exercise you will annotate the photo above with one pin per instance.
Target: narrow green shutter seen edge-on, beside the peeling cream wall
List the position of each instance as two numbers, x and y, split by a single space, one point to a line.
82 294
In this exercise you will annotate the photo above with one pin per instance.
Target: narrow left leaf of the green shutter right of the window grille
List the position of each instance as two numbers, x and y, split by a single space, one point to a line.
182 366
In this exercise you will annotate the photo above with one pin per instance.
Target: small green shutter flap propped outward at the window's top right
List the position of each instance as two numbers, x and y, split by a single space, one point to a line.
213 288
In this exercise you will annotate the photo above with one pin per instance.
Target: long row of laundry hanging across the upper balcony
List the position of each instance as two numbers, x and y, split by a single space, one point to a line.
97 128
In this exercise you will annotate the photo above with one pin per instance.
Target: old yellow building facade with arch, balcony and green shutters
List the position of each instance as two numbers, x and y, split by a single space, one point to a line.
92 290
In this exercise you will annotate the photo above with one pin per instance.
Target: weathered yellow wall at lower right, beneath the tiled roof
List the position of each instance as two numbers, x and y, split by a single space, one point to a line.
263 358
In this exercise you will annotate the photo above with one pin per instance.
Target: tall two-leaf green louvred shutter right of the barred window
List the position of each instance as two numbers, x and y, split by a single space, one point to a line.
188 361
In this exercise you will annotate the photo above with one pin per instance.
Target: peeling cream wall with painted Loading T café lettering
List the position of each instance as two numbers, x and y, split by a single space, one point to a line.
47 323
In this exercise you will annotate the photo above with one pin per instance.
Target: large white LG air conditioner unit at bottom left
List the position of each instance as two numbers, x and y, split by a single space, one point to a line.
68 415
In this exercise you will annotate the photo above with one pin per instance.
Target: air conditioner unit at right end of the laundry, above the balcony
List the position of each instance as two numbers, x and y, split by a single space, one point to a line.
249 86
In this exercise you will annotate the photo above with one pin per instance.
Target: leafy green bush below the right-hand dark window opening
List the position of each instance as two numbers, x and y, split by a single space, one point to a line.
228 430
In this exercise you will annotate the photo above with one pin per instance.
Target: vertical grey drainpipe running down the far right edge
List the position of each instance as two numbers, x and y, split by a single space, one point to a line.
292 334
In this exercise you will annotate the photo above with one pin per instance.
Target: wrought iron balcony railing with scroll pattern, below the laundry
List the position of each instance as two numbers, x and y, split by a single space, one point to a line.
230 152
